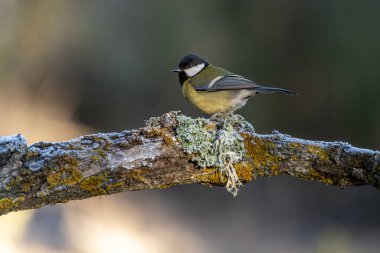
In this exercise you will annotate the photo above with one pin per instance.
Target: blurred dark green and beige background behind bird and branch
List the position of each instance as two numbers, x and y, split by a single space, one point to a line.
69 68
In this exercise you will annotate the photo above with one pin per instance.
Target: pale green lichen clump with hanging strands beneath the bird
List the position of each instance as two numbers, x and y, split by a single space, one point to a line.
214 145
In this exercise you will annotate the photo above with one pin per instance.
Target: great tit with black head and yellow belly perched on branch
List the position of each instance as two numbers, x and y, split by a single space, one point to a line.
216 91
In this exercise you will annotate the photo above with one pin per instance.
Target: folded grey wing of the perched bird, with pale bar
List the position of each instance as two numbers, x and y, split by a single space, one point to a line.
228 82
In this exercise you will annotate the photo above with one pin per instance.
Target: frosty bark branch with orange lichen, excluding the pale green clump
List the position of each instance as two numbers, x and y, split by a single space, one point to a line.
153 158
